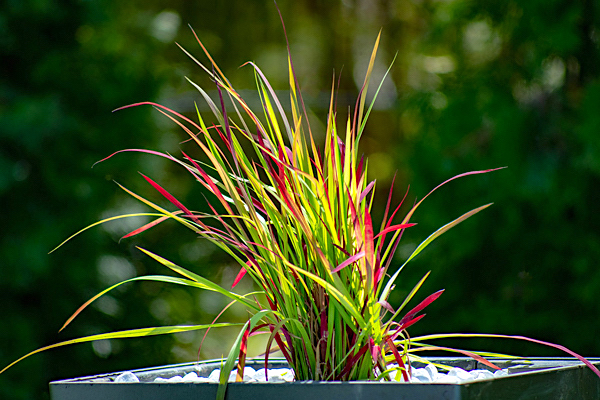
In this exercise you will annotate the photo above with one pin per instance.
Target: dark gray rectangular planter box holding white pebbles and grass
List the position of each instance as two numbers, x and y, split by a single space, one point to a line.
542 378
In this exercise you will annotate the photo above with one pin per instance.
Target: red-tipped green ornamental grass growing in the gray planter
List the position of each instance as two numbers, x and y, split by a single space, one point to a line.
297 217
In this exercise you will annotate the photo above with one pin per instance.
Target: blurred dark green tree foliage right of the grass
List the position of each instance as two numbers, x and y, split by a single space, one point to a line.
523 93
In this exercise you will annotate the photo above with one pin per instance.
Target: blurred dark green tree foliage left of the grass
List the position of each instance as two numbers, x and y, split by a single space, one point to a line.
65 66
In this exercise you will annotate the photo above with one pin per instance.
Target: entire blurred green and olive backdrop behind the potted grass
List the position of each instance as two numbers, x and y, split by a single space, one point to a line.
475 85
